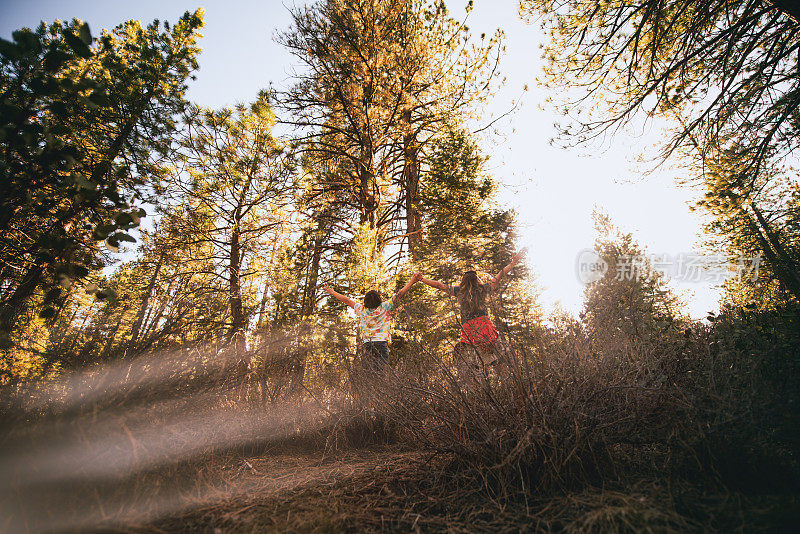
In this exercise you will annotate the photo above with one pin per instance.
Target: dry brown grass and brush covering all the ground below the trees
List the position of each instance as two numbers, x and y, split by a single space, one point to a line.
676 434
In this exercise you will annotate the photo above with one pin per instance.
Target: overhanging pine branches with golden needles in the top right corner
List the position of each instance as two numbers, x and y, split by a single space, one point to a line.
724 70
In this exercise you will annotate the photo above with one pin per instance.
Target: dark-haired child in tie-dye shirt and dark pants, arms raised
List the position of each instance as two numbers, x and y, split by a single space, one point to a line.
374 320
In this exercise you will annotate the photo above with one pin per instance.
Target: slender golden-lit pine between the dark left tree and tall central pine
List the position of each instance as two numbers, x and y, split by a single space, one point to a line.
237 183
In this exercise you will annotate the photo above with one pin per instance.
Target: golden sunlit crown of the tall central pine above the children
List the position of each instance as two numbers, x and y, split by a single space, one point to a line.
383 78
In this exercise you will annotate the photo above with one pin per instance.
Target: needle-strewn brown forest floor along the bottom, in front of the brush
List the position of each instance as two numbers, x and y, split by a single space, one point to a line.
387 489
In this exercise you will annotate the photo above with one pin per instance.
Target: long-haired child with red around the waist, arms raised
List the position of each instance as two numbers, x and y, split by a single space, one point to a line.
477 329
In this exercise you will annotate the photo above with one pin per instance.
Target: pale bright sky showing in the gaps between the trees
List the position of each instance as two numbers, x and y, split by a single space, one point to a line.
554 190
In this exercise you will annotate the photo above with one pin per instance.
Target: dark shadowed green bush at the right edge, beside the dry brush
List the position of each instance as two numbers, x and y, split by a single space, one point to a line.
743 378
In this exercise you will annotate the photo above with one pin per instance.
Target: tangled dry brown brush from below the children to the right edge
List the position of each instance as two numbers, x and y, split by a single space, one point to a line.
704 408
